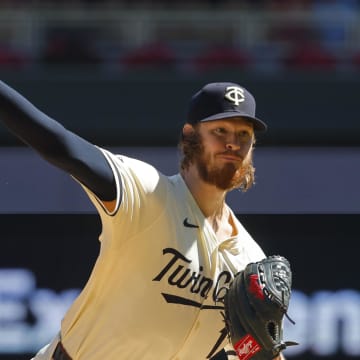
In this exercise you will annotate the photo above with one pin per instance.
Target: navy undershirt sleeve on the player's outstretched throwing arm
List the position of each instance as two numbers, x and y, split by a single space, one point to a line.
56 144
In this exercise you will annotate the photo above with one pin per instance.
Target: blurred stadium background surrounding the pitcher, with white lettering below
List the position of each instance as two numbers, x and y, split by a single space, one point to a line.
121 73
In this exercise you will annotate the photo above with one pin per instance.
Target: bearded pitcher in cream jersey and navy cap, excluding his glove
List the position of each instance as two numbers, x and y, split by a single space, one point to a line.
170 245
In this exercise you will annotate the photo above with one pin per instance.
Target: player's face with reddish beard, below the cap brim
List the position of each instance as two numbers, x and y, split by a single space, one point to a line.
226 152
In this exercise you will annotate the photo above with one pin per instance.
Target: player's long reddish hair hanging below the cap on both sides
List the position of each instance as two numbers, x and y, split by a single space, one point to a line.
191 145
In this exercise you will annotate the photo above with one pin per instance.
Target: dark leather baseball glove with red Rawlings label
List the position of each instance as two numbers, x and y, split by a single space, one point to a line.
255 305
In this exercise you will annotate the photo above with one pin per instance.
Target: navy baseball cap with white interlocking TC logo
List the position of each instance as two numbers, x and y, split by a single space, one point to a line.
223 100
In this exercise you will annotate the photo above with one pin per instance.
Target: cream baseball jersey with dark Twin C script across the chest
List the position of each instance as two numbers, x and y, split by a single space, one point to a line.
156 288
